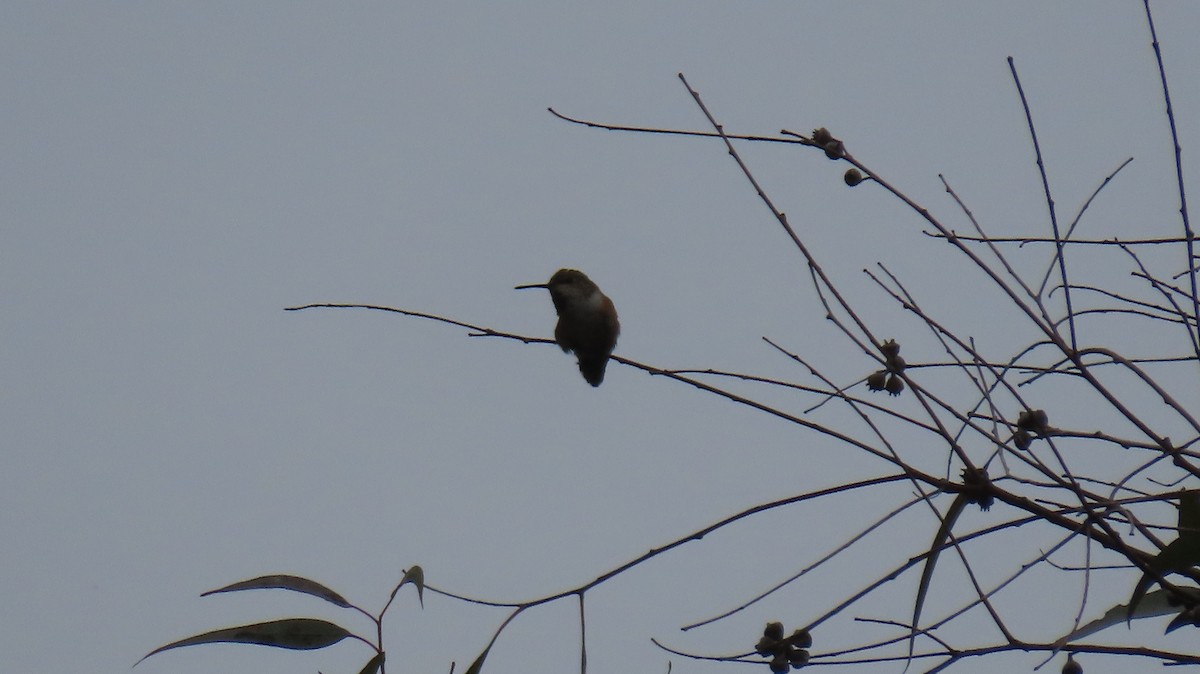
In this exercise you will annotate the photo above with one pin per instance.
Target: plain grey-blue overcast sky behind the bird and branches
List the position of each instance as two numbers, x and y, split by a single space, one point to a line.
175 174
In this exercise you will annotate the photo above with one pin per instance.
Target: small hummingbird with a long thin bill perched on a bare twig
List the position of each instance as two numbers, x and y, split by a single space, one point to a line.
587 321
